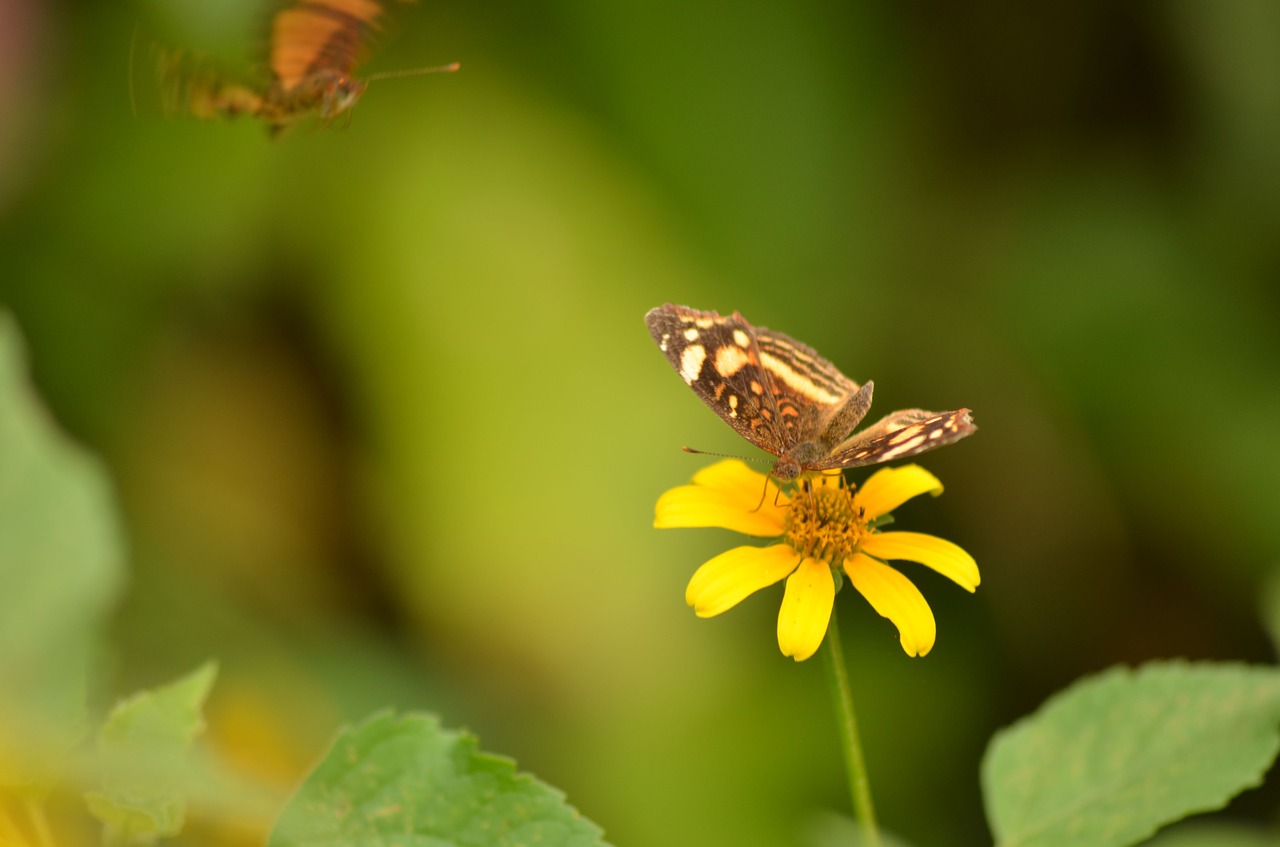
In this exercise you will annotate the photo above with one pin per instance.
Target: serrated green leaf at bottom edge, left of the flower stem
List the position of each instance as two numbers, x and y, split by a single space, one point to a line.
404 780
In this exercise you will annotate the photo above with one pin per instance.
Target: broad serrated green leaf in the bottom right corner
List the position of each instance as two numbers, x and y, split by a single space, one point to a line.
1116 757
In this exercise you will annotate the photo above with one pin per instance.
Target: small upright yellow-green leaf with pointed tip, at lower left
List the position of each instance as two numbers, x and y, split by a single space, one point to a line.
143 748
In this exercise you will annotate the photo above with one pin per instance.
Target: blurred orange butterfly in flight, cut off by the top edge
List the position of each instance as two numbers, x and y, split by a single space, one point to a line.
316 49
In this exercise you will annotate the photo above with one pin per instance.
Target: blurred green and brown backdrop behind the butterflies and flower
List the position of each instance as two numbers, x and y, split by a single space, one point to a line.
387 427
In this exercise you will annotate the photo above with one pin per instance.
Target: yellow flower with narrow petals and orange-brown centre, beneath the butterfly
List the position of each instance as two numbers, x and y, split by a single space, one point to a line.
821 526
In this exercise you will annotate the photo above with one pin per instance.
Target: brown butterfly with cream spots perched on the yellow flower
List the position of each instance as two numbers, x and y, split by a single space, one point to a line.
787 400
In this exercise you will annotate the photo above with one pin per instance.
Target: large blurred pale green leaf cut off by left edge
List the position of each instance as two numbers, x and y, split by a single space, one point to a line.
61 566
